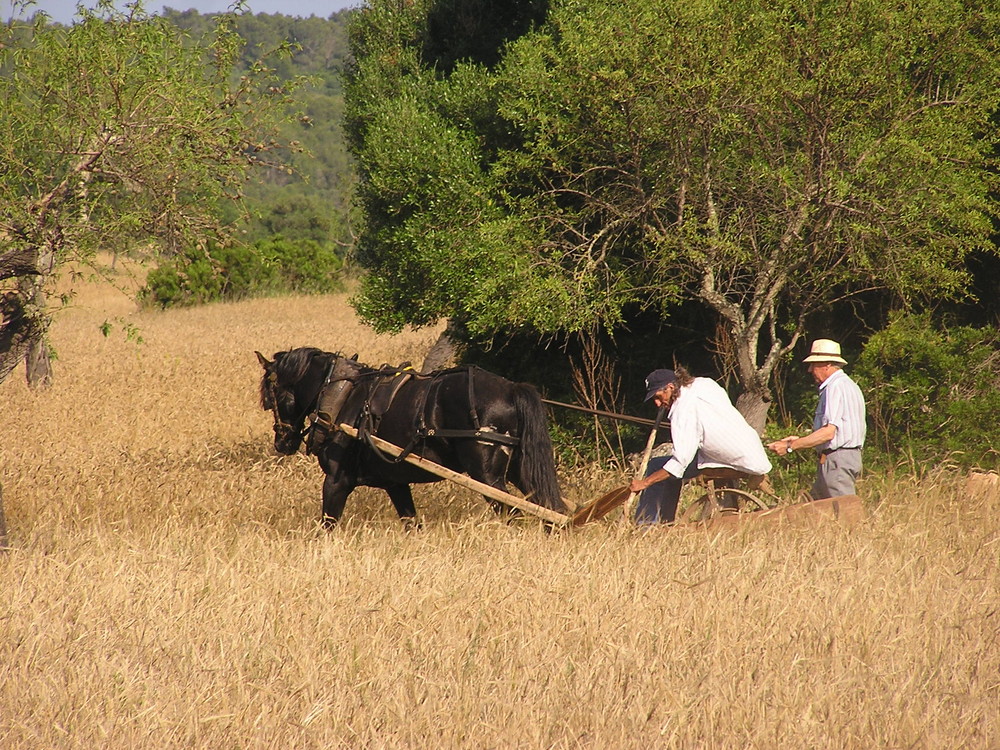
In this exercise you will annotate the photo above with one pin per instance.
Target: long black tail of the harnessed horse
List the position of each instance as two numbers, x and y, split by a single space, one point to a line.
537 462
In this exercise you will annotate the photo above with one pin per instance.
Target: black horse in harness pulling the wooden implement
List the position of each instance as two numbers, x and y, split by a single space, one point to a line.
466 419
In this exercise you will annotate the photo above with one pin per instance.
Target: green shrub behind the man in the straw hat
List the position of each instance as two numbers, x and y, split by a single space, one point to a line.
932 392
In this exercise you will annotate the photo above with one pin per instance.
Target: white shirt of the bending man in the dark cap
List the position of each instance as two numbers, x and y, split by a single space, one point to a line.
705 426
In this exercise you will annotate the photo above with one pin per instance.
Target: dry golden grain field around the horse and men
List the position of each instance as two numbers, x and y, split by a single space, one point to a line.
168 585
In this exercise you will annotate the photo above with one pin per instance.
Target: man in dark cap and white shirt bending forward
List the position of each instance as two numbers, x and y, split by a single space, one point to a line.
707 432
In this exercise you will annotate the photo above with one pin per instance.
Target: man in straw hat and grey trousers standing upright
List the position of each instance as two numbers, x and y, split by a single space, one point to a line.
838 425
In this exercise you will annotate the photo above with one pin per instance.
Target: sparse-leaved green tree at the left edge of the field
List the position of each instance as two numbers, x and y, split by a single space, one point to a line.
118 130
